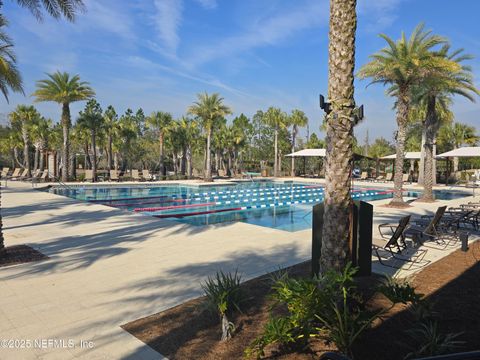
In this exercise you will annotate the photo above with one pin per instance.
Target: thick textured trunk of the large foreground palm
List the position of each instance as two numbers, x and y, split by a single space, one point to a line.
341 63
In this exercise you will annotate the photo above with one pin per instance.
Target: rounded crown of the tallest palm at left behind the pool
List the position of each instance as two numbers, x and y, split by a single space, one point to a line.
62 88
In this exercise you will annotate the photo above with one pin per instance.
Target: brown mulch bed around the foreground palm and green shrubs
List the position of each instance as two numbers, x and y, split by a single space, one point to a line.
451 285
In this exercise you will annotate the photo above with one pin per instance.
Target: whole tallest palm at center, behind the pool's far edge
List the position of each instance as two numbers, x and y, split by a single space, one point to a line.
208 108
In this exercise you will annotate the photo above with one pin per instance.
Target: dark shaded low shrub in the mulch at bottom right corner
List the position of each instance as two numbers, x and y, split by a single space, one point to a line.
428 341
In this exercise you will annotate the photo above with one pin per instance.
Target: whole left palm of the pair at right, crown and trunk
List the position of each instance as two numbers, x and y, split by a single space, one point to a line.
402 65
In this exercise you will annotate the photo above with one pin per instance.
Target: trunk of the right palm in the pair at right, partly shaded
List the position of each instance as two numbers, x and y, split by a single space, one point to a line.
430 123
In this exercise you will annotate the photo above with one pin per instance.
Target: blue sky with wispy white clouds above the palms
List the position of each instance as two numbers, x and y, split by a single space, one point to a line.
158 54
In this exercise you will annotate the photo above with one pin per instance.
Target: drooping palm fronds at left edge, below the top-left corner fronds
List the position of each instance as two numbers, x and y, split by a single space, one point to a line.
10 78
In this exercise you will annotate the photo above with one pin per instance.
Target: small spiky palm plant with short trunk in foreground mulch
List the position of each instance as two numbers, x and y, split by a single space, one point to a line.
224 295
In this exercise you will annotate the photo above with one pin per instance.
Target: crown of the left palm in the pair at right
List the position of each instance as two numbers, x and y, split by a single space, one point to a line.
404 62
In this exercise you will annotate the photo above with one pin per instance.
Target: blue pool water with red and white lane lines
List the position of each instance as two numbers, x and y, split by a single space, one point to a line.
281 205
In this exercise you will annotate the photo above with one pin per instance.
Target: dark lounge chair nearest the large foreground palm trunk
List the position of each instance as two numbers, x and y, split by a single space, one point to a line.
396 250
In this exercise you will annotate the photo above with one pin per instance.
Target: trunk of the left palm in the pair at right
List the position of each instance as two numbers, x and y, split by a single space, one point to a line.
402 118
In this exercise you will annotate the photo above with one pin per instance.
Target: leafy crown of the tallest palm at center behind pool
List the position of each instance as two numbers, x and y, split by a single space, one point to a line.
208 108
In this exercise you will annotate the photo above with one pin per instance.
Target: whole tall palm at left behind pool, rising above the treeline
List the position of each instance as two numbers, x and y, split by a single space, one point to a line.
63 89
